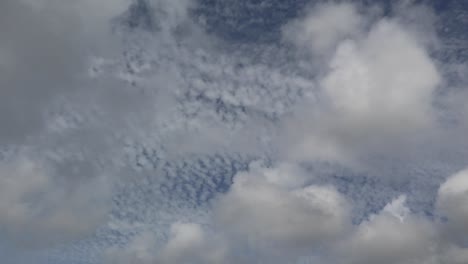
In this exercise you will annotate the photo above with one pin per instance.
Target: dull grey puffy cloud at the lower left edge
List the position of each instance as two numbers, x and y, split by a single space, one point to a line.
38 209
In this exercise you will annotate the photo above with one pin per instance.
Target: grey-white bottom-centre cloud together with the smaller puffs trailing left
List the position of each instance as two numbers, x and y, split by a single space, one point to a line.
261 217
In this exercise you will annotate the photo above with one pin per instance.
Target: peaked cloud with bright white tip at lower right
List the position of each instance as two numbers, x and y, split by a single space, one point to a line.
390 238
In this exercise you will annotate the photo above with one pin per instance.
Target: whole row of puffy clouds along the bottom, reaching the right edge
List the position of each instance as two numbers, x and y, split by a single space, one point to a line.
261 219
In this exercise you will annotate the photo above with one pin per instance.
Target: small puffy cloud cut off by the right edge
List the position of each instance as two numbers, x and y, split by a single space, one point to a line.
452 203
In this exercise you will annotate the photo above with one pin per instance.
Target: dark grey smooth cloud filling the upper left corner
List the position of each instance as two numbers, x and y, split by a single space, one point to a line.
45 49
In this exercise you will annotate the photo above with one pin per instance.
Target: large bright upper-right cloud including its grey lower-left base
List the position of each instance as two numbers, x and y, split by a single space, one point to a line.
377 93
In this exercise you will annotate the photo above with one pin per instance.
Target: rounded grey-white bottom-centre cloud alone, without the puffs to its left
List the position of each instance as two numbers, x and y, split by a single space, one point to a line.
266 213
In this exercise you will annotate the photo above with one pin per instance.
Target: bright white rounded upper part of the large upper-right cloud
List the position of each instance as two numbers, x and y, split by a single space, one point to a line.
386 80
